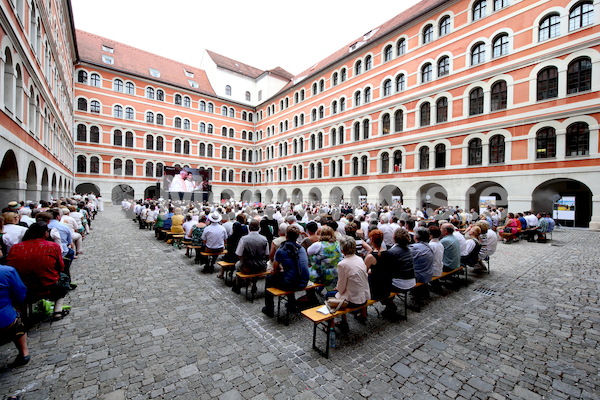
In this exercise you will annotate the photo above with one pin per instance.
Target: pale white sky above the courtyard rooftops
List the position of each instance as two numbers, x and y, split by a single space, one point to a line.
262 33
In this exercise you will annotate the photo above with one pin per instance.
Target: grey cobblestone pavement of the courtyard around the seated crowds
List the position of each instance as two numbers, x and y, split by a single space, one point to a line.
147 324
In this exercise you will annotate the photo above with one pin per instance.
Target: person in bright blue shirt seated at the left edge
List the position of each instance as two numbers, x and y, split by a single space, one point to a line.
12 294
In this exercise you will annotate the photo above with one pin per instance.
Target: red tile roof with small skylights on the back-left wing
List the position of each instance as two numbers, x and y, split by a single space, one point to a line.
135 61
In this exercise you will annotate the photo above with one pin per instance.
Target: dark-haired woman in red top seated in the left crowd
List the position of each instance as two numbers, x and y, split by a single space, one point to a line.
39 263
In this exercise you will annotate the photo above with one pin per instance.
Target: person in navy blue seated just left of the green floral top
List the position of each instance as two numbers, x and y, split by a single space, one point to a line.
290 270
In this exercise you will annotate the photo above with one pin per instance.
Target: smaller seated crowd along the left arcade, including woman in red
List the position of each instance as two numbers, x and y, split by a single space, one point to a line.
38 242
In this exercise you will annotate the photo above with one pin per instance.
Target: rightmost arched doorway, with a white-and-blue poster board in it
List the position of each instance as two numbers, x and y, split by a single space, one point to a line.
562 191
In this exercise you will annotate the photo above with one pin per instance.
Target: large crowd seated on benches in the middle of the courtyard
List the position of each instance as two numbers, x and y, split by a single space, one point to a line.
355 254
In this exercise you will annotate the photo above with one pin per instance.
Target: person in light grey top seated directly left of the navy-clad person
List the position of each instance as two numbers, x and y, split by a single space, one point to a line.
253 251
